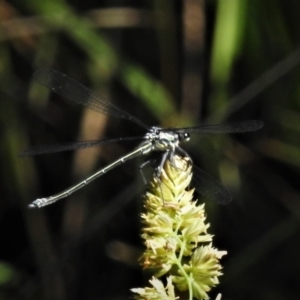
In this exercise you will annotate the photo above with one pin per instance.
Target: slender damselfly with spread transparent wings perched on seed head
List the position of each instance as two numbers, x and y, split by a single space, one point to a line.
156 139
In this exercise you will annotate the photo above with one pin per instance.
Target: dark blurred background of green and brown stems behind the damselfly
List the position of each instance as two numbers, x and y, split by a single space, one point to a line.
169 63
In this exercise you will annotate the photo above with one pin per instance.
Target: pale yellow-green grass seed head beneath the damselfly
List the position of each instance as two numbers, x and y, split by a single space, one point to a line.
175 236
